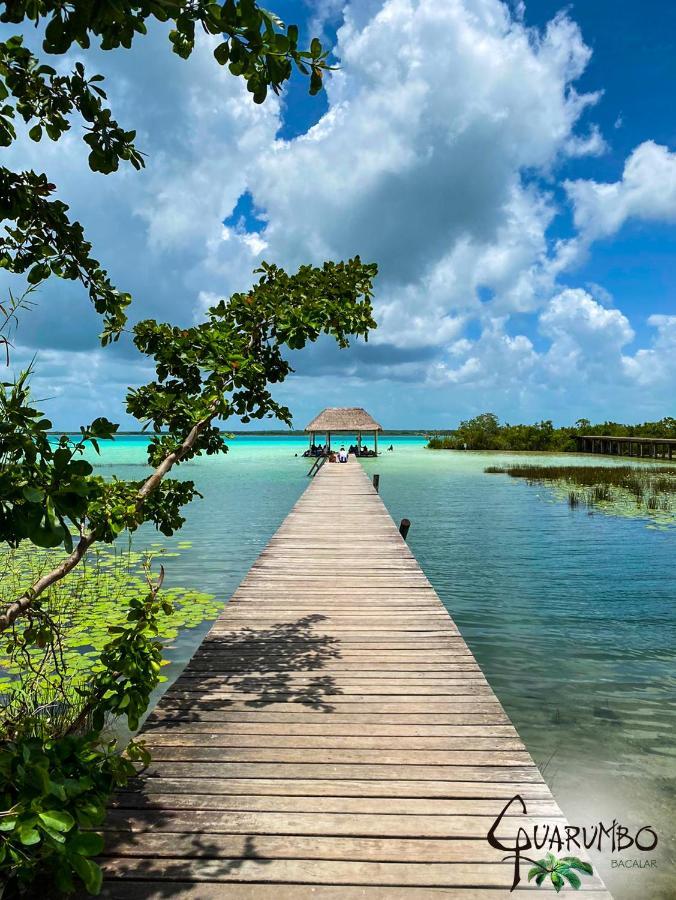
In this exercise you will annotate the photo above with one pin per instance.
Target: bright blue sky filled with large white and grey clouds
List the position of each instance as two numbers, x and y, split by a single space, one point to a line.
511 168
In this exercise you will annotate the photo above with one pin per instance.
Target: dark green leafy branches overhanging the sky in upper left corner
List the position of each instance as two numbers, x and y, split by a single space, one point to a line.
40 240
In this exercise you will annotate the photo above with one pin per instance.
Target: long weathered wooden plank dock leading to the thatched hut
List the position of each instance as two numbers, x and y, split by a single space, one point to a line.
332 738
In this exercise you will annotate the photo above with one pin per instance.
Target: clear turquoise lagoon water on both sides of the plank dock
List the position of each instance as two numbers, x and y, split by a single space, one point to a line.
571 615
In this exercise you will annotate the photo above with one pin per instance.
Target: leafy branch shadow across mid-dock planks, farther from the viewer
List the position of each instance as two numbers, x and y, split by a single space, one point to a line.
263 662
